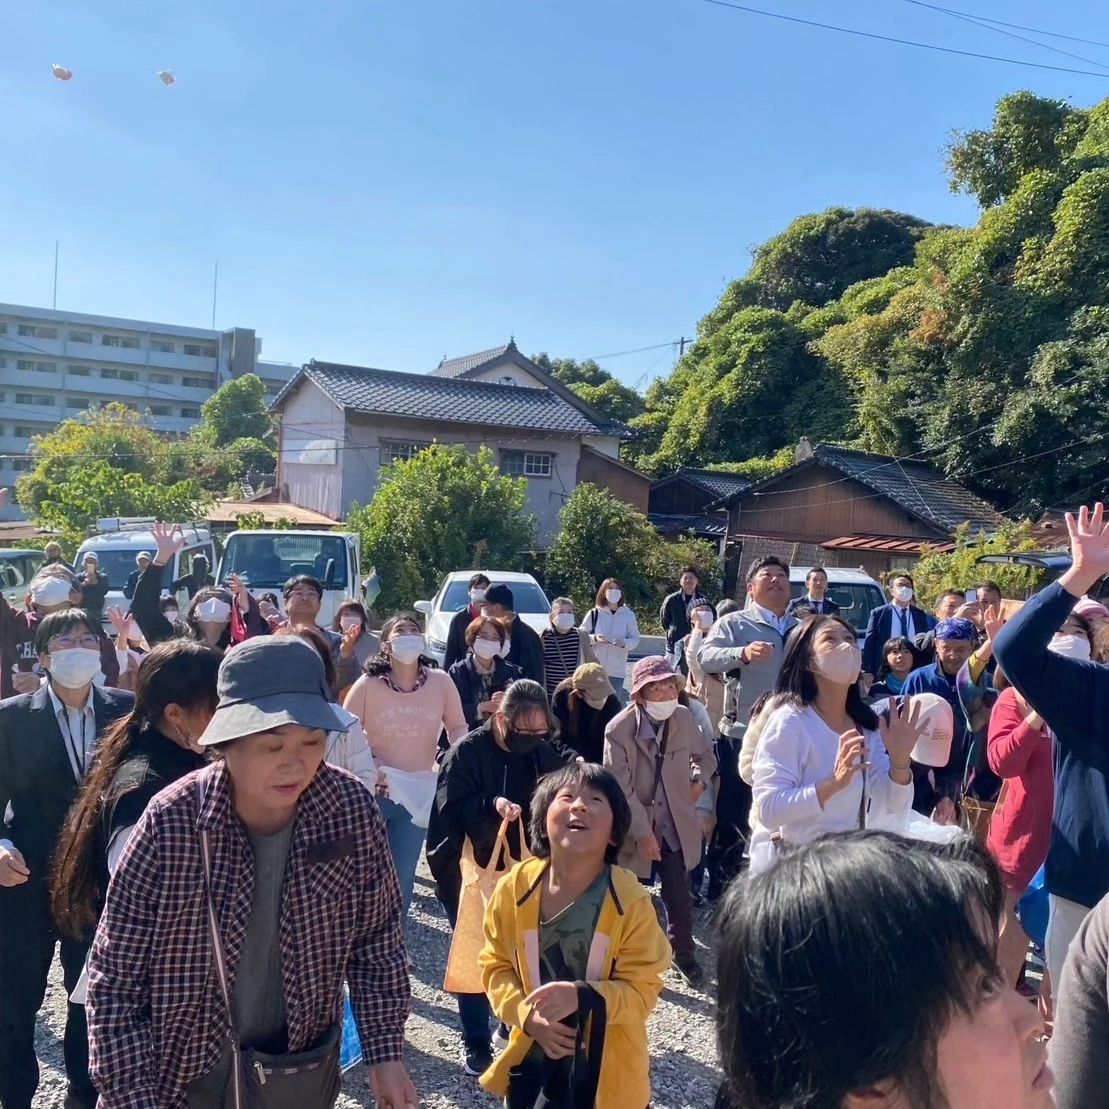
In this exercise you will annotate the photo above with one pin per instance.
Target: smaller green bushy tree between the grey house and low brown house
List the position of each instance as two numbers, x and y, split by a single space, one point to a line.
602 537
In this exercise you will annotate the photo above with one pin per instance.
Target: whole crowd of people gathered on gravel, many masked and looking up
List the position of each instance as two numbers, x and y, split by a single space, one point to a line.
217 819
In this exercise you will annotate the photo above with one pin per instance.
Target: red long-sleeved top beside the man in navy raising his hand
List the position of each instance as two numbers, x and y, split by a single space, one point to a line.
1021 829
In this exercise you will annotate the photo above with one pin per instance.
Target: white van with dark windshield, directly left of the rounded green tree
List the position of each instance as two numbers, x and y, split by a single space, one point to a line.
268 559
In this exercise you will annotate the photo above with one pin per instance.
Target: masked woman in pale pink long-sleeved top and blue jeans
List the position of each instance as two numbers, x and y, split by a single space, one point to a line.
404 704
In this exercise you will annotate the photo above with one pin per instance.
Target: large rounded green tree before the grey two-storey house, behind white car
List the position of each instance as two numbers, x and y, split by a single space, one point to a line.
446 510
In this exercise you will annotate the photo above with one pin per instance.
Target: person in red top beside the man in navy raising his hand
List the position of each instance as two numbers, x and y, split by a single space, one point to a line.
1020 751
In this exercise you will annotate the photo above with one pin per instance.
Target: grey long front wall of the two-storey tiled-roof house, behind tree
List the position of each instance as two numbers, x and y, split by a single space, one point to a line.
368 450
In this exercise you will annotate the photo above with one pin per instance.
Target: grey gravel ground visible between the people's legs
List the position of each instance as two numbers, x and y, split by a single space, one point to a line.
684 1054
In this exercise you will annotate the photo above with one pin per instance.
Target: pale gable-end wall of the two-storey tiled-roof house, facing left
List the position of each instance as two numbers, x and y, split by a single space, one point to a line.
312 459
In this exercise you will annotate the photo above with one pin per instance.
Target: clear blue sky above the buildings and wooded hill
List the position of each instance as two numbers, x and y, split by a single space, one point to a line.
386 184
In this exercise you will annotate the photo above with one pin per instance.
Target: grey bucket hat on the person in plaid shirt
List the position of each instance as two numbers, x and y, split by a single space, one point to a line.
267 683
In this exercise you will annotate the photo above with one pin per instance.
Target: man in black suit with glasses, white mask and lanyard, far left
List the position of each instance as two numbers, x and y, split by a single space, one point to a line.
47 745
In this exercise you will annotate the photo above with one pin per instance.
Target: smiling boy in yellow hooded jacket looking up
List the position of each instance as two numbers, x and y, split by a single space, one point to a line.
574 955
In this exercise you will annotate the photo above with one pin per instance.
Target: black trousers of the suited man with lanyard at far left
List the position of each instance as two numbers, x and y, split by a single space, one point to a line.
28 939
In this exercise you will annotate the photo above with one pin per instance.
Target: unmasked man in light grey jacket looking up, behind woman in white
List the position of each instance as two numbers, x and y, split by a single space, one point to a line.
747 647
